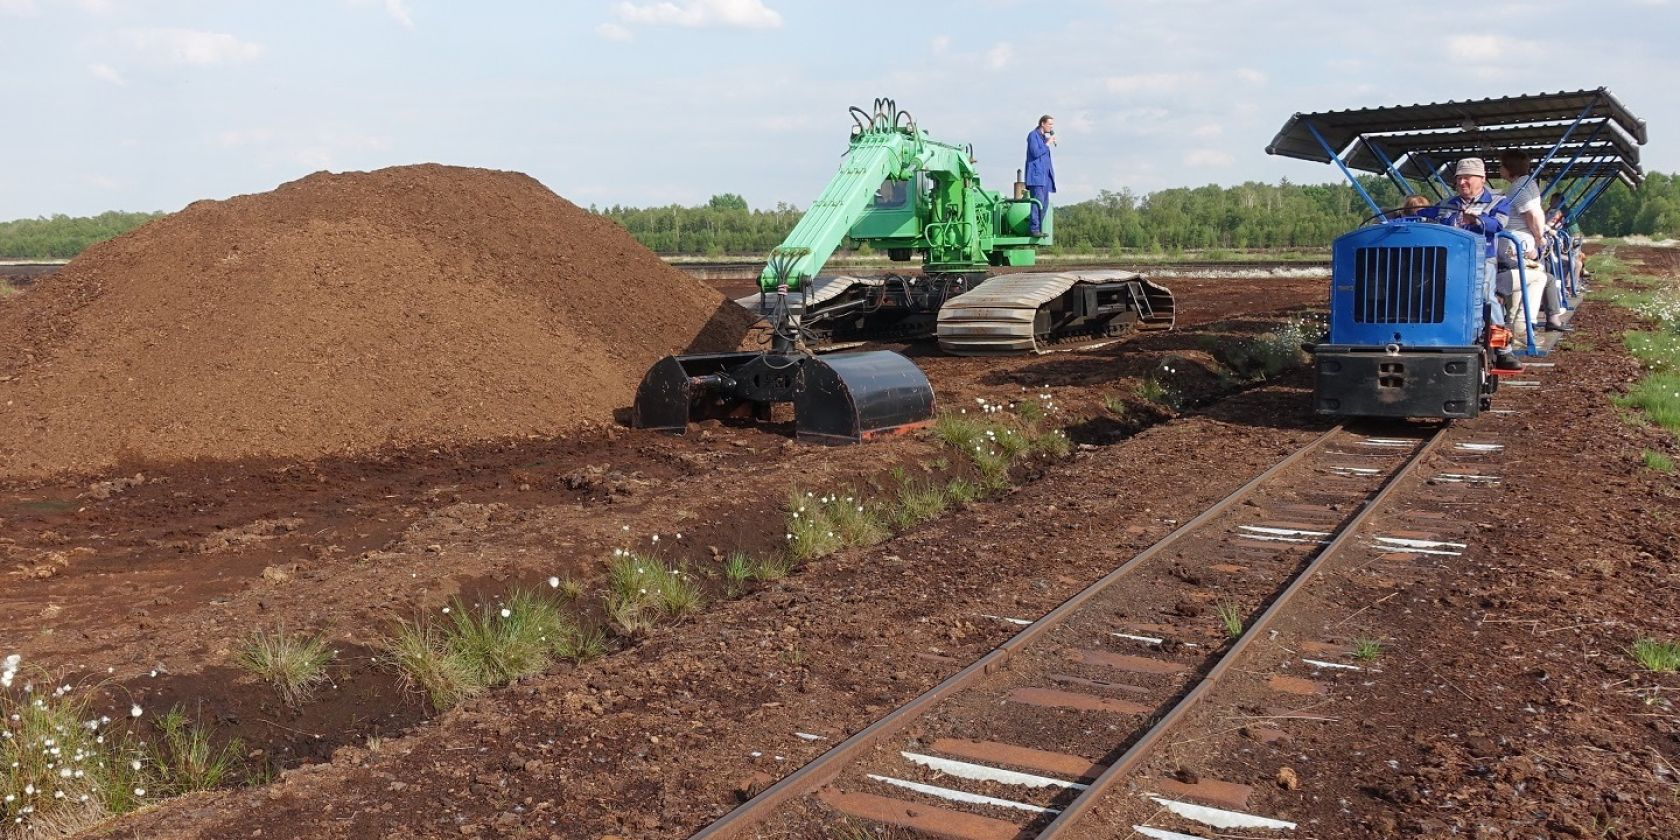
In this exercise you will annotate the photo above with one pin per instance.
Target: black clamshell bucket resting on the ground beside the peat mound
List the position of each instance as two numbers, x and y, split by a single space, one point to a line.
837 399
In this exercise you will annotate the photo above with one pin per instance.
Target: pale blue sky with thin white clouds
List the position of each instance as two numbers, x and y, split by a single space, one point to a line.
150 105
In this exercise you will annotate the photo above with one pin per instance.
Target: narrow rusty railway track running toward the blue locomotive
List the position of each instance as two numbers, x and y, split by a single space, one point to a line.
1026 740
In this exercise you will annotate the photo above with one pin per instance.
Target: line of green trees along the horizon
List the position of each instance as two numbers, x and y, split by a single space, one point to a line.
1249 216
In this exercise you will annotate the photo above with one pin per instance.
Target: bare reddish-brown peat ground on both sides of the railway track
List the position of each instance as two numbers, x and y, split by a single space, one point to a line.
1541 723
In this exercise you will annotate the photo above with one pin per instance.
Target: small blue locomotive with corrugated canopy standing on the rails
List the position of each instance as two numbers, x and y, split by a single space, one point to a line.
1409 330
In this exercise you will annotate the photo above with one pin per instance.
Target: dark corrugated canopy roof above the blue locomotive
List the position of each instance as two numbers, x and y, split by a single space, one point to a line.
1341 129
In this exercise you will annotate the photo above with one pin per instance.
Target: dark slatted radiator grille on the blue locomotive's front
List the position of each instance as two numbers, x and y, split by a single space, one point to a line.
1400 285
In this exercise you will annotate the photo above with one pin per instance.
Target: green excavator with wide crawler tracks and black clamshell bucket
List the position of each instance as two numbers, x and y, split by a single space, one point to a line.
905 194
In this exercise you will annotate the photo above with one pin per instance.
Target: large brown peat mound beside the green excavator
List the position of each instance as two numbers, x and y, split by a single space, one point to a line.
344 313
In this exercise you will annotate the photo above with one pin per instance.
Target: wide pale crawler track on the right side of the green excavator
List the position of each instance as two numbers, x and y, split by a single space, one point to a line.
1044 313
